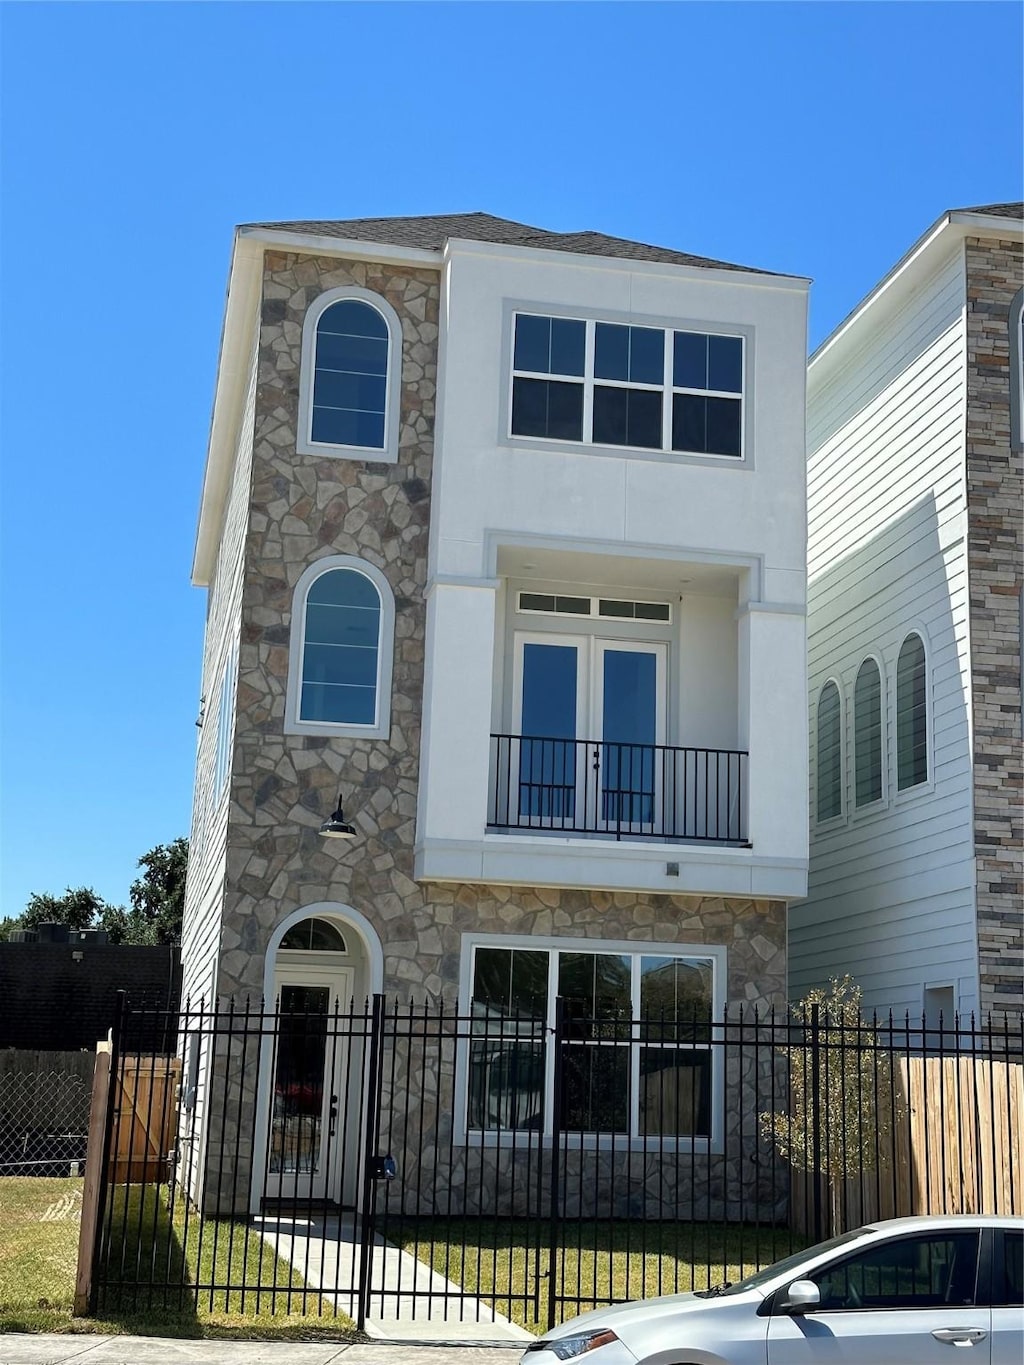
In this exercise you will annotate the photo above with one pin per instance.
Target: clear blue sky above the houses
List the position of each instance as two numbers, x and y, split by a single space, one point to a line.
820 140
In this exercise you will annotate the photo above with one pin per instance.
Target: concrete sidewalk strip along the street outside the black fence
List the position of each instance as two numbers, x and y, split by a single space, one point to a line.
158 1351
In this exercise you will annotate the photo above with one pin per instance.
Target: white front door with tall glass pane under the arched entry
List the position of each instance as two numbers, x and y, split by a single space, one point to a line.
308 1134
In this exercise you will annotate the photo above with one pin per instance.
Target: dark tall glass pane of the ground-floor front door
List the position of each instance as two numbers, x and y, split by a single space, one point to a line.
298 1104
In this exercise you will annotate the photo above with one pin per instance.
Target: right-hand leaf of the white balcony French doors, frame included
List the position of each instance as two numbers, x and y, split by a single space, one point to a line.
630 708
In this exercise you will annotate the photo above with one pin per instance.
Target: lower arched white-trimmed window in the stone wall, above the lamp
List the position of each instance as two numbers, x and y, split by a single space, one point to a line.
342 650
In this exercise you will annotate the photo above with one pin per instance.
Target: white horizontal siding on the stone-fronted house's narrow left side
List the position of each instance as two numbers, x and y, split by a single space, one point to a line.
207 862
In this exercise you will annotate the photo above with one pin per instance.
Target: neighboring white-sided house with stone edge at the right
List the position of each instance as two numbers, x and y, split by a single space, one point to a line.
915 649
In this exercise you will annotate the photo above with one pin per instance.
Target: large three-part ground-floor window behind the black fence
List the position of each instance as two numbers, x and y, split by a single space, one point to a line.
637 1061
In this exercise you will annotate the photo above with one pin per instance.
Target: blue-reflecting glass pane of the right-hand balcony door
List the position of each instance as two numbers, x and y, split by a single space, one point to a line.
630 691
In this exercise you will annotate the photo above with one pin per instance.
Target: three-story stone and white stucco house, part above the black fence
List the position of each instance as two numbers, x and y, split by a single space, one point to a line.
504 538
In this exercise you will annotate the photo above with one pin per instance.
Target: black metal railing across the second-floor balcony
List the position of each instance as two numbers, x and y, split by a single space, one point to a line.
618 790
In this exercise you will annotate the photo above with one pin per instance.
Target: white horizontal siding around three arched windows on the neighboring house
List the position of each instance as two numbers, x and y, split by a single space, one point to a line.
891 892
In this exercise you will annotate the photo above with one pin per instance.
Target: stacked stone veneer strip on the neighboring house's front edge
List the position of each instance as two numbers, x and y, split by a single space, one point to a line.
996 545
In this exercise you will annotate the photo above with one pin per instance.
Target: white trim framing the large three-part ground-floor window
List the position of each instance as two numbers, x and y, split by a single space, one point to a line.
592 1142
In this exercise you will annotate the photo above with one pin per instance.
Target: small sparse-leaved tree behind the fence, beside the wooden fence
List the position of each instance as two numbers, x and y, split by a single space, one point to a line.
857 1104
